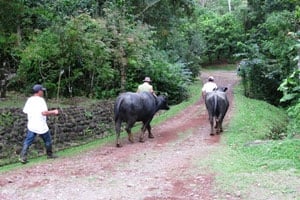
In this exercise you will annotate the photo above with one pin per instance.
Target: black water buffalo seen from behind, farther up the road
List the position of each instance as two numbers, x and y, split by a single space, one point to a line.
217 105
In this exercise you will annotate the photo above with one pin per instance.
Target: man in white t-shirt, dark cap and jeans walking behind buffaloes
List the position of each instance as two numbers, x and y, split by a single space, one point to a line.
37 112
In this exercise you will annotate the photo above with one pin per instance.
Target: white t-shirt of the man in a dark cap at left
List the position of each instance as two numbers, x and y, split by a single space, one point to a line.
34 107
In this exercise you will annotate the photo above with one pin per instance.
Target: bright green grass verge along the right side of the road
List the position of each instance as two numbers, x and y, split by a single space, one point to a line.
249 131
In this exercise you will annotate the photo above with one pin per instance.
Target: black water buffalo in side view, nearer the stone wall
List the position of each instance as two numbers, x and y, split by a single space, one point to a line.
132 107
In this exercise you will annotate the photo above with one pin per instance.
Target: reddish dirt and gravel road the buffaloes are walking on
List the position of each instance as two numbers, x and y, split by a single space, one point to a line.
161 168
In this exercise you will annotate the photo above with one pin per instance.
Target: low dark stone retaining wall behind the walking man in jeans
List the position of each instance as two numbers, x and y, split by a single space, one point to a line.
73 126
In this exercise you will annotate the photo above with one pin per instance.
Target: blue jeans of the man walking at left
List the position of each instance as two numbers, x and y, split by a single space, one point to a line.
30 136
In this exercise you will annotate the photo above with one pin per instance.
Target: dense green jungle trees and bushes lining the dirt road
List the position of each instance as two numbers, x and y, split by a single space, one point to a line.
98 48
